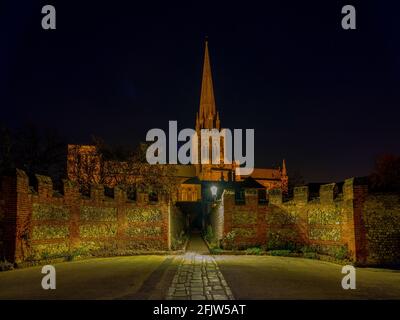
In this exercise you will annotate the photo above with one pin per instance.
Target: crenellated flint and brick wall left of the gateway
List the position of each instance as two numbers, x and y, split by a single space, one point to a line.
40 223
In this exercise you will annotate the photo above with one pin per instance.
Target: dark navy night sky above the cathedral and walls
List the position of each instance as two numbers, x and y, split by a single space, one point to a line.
325 99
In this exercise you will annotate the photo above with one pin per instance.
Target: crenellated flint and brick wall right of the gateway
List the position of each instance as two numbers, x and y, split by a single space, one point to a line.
363 226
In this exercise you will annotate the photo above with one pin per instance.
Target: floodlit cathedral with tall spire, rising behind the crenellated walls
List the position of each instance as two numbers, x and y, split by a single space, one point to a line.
193 179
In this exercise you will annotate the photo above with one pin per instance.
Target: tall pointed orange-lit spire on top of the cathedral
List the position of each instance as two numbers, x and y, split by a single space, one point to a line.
207 101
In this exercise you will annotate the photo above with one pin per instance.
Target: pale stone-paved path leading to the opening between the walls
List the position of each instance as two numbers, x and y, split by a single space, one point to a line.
198 276
